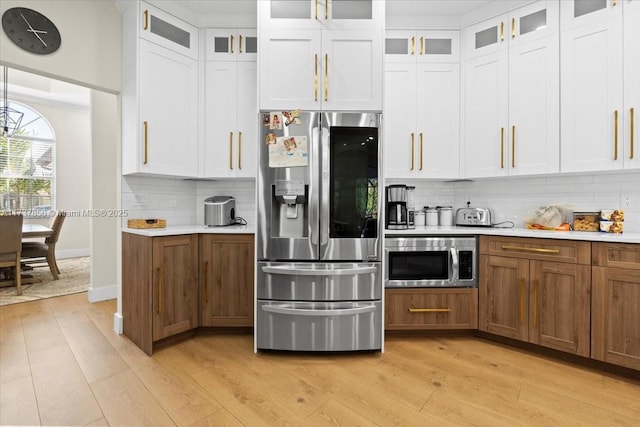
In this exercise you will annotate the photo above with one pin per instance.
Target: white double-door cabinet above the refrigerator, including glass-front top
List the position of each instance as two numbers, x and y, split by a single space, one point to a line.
319 67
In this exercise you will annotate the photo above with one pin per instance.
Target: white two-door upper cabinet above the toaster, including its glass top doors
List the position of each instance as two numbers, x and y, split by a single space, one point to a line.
511 93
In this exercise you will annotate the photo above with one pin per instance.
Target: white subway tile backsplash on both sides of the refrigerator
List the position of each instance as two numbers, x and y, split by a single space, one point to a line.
181 202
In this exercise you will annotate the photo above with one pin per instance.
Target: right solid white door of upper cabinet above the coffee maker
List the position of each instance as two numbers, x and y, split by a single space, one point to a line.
438 121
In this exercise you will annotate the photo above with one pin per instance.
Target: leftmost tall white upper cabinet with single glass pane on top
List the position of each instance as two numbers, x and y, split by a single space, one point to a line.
159 93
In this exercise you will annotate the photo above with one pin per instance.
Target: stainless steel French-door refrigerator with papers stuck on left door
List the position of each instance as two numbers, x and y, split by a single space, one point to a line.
319 281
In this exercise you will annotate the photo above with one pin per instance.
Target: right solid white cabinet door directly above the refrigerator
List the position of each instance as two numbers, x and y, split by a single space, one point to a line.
352 70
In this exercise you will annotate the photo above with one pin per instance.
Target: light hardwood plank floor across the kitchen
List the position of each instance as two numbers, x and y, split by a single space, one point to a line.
61 364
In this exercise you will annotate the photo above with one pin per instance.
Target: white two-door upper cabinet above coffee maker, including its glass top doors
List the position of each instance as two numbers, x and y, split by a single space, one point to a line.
422 105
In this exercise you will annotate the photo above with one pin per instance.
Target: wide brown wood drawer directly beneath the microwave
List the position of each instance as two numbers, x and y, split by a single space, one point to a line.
429 308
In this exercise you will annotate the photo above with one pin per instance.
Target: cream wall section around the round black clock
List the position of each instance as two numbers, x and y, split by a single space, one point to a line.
90 50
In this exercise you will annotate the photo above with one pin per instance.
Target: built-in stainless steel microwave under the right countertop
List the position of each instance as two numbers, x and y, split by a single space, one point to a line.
430 262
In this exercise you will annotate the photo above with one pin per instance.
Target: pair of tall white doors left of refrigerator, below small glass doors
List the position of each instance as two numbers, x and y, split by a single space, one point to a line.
231 119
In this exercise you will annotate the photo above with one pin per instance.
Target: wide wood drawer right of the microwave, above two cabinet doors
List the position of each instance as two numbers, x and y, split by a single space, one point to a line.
539 249
